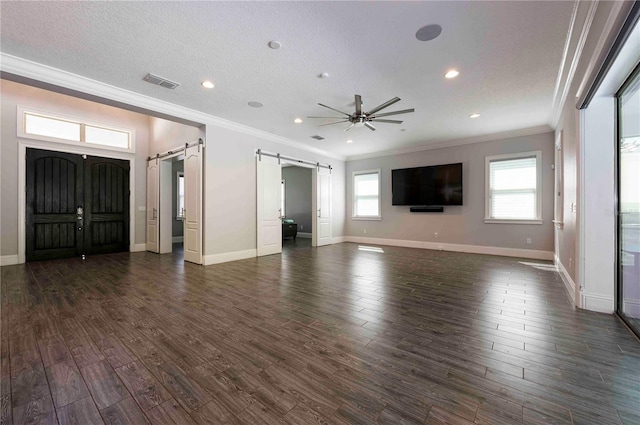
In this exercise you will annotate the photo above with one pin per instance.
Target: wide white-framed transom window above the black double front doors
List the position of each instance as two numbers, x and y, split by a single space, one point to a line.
47 126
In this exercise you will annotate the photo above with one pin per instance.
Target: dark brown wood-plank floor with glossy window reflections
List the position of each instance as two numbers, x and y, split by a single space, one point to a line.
339 334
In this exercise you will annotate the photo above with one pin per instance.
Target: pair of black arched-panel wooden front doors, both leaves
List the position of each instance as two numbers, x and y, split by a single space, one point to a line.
76 205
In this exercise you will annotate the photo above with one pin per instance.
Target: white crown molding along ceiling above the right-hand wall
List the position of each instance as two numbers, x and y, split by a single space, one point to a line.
581 20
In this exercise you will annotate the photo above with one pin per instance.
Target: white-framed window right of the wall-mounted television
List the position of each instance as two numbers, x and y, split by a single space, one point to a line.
513 188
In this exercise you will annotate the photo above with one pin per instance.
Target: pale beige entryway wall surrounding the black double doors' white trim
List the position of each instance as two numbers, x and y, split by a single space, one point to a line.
14 94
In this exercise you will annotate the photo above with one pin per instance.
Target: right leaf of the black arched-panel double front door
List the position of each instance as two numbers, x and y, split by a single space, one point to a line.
107 205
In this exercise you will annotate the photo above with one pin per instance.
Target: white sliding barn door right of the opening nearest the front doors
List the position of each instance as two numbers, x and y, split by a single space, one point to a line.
193 204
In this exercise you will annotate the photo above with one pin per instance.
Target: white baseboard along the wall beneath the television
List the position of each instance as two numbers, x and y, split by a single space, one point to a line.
471 249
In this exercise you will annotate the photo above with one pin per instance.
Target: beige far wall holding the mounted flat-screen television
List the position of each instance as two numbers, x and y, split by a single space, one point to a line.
463 225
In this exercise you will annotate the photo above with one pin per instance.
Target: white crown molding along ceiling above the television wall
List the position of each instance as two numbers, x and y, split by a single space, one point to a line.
460 142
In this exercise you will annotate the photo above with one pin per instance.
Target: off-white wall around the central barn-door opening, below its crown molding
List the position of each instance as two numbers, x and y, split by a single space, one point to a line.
230 191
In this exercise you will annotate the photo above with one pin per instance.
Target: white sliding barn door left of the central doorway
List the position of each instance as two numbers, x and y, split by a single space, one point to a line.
269 223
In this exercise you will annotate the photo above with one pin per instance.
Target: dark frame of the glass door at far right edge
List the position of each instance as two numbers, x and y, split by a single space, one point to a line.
619 292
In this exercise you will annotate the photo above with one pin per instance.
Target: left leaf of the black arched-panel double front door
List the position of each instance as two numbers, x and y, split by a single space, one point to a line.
54 219
